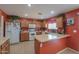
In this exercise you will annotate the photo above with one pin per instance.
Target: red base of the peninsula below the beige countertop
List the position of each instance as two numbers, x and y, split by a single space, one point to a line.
50 47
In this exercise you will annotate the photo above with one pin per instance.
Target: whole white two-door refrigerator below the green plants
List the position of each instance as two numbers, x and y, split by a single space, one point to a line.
13 32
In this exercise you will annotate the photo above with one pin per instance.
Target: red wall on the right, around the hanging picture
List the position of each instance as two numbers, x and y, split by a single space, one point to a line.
73 41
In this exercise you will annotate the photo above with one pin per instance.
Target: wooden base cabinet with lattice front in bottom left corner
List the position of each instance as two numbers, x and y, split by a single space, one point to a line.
5 47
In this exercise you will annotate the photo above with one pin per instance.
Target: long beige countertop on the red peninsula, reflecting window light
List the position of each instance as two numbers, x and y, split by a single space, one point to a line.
47 37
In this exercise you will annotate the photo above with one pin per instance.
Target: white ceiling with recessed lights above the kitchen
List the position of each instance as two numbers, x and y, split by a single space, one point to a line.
38 11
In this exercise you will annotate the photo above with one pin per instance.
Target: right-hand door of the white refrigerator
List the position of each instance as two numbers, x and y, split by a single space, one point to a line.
15 33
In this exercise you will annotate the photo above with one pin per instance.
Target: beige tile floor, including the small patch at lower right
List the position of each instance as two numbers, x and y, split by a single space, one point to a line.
28 48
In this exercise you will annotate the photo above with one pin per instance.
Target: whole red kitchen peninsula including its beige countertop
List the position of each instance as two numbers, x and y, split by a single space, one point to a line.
50 43
